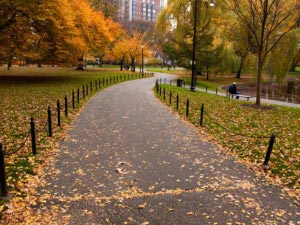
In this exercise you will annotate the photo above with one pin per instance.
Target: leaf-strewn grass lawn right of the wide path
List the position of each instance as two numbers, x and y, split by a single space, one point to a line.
246 131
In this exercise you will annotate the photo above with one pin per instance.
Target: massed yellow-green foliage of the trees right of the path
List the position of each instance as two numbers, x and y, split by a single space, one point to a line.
229 32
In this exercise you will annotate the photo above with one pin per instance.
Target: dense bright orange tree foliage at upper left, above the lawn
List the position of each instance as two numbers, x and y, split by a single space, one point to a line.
56 32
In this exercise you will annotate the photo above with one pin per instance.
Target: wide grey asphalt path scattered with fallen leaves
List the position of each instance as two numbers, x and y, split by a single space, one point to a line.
129 160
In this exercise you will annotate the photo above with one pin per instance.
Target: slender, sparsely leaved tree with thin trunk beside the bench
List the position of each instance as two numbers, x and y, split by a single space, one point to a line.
268 22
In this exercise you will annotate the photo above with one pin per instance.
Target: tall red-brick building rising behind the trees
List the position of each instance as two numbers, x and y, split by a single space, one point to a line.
142 10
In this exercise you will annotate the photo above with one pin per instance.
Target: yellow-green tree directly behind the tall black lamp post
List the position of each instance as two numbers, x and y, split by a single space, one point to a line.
175 32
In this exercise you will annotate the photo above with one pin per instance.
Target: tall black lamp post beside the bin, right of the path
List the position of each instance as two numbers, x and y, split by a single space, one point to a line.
193 83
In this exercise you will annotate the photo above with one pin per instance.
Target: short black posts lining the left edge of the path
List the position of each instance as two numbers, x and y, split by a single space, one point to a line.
85 90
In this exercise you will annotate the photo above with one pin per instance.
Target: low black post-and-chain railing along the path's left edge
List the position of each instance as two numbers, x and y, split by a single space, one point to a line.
63 107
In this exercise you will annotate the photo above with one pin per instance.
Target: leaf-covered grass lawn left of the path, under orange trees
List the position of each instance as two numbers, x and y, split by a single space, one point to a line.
27 92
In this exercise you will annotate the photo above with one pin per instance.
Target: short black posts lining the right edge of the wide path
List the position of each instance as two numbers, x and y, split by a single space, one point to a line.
159 91
